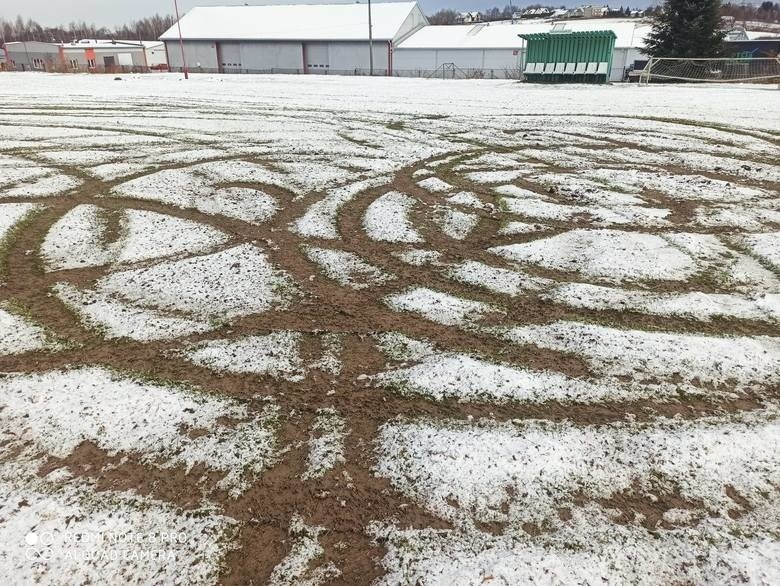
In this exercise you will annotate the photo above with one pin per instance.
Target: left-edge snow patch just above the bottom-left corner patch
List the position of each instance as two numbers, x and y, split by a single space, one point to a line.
122 414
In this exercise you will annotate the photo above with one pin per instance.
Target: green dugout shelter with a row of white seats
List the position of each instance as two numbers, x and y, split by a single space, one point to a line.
569 56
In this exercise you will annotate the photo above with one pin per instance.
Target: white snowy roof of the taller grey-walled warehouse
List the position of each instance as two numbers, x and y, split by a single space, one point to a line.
293 22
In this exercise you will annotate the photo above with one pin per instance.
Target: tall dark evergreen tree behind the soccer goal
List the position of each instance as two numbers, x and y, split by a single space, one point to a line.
686 28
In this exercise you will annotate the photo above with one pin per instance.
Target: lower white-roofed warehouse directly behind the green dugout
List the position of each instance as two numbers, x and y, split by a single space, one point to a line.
494 50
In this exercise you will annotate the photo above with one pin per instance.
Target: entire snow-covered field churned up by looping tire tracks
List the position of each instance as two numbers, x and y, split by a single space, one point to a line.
314 330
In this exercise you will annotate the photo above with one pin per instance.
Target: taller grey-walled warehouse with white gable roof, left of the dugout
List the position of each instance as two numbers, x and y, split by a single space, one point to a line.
300 38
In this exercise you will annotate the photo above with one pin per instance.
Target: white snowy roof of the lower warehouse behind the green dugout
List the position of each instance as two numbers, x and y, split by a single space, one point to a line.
630 33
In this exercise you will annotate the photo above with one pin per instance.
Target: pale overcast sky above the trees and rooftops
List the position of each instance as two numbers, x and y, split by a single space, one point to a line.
114 12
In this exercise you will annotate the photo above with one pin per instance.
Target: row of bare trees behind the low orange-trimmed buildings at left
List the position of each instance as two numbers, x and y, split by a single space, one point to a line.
146 29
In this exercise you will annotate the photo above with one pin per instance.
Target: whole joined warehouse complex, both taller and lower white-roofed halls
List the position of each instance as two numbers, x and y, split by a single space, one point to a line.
333 39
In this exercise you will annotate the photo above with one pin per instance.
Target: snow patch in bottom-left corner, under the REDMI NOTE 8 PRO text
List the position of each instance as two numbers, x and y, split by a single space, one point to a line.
58 531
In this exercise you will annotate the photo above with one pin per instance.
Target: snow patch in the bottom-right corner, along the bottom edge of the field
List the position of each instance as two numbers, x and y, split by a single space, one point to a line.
592 549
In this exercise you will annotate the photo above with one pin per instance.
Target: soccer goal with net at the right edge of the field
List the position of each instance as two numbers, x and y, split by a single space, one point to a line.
712 70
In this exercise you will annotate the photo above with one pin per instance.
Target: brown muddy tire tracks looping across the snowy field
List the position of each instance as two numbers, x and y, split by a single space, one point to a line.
348 497
